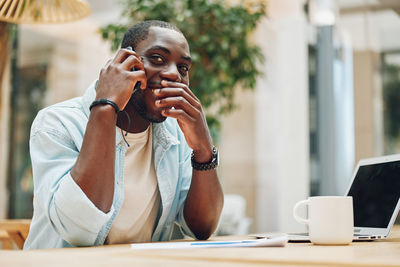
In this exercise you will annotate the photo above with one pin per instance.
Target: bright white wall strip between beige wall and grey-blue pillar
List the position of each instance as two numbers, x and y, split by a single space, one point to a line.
281 115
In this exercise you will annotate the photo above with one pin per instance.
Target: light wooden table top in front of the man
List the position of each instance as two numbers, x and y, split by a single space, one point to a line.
377 253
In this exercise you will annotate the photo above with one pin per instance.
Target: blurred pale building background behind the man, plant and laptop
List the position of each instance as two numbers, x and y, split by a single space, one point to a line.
327 96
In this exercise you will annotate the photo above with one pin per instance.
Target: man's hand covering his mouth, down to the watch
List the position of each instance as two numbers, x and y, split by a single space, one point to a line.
189 113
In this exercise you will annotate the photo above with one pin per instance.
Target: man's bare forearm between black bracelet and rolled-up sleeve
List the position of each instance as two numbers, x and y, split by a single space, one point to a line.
94 168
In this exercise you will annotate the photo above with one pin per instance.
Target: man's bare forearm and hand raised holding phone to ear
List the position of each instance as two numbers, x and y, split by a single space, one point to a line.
94 168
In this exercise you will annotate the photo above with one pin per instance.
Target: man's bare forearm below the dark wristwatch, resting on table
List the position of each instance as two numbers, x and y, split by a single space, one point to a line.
204 203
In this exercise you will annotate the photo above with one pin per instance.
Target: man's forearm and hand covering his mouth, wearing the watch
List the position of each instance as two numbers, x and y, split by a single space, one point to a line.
204 200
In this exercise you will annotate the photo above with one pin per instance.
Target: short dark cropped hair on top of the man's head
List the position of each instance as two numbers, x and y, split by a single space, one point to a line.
140 31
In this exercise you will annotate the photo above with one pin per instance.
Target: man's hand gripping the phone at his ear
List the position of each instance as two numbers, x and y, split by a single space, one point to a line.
117 81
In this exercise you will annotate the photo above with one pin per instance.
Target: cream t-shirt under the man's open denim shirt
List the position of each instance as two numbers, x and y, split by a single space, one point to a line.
136 219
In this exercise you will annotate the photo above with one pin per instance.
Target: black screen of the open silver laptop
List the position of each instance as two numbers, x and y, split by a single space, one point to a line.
375 191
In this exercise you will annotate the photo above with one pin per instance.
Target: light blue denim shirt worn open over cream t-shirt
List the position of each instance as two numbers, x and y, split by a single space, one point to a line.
63 215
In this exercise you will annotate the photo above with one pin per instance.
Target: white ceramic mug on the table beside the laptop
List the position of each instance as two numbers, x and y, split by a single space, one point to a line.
330 219
